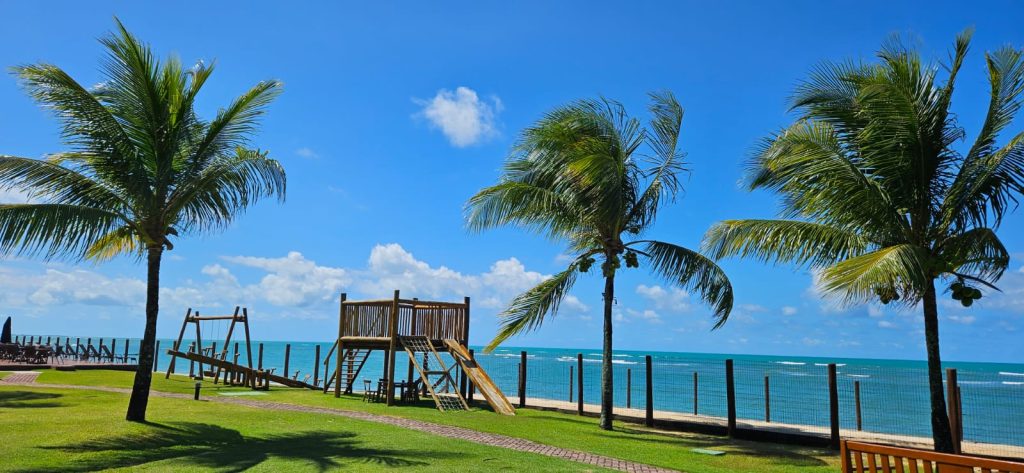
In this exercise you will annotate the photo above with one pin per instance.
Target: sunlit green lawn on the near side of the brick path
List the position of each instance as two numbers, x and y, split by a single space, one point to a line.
78 431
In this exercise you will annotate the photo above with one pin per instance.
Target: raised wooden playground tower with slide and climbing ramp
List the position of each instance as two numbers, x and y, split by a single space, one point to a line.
417 328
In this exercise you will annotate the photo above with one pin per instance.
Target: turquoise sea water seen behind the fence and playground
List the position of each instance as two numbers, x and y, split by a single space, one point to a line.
893 394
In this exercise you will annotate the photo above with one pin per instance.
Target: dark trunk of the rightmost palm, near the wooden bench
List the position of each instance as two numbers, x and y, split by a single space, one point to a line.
942 435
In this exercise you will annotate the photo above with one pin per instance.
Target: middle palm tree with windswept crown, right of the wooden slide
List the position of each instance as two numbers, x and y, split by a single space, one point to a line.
577 177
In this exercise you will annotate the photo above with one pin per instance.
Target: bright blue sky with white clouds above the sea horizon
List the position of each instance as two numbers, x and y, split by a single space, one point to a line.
394 115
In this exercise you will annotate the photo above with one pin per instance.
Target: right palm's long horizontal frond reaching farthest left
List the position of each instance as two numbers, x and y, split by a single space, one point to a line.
784 241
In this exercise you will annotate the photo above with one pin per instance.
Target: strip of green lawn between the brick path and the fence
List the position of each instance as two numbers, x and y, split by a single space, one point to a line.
627 442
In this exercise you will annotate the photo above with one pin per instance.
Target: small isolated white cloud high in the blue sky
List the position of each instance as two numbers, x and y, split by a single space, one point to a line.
462 116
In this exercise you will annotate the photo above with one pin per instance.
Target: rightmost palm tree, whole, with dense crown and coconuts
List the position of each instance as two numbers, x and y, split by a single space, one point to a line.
879 201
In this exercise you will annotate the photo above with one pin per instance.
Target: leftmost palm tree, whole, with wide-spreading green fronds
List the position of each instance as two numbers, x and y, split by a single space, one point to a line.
142 168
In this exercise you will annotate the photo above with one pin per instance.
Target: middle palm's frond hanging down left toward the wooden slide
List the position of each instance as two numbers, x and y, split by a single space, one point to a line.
529 310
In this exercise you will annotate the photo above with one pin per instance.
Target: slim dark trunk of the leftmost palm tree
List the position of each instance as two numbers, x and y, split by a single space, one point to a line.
144 375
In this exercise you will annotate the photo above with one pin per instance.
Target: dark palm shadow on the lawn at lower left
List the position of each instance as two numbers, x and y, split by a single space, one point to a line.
216 448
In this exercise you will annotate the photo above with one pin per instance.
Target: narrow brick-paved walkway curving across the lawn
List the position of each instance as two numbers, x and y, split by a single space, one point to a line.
485 439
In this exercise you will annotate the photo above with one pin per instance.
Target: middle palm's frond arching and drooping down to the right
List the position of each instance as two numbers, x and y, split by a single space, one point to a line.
694 272
